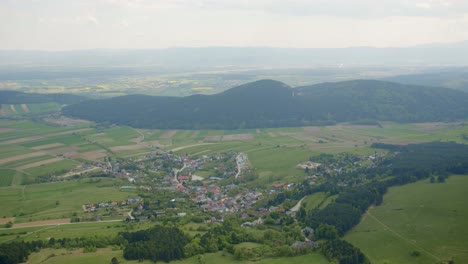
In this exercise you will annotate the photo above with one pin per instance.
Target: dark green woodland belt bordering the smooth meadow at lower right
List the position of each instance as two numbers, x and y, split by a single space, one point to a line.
409 164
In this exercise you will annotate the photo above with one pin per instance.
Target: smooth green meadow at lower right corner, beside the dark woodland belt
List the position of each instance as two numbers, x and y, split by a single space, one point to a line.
424 217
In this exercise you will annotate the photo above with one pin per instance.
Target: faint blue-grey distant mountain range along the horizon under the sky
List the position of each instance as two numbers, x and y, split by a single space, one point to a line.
455 54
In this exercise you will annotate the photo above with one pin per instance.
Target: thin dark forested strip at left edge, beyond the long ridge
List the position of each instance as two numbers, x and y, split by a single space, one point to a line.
16 97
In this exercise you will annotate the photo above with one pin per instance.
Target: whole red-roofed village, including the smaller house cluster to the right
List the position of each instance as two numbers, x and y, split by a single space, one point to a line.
209 185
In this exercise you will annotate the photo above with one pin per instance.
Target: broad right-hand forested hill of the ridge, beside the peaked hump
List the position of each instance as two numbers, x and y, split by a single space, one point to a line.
380 100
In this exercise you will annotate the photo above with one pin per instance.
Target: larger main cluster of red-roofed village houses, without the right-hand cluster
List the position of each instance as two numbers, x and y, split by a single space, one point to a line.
217 192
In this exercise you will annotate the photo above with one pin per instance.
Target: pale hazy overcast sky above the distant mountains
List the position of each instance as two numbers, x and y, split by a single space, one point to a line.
85 24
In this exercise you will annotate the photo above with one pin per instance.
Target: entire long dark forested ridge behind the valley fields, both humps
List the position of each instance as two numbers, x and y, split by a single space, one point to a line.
269 103
